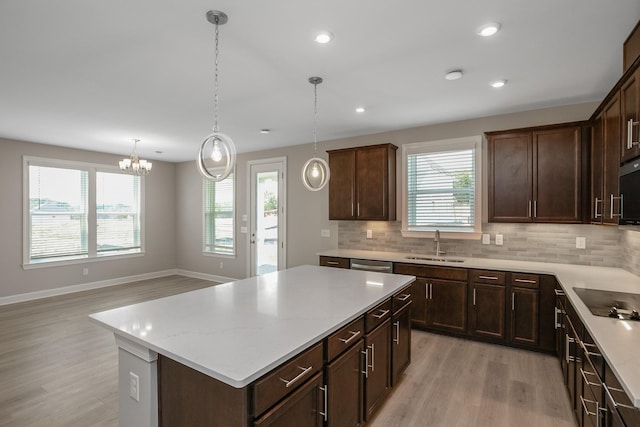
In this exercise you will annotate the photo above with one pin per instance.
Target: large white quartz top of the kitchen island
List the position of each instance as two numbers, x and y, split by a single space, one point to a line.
238 331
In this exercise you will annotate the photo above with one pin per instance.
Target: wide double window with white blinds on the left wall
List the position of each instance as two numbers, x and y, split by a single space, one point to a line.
74 211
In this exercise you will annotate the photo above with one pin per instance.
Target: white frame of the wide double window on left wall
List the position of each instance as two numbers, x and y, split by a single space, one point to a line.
92 254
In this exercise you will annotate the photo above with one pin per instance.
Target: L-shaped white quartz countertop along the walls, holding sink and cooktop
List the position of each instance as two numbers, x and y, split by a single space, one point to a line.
618 340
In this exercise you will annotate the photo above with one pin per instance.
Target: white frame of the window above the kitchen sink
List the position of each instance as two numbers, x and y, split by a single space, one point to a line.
464 143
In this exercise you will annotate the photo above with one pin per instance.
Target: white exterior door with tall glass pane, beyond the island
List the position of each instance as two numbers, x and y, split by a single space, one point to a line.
268 223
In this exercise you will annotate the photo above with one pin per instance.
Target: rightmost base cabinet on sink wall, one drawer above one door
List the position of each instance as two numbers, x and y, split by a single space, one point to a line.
524 294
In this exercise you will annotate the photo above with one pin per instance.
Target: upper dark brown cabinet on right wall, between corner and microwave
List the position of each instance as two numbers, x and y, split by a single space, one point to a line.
605 163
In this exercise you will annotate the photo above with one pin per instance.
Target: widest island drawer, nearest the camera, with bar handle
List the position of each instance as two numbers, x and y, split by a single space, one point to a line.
277 384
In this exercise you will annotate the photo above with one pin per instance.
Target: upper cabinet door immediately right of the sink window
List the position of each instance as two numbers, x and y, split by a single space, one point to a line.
510 172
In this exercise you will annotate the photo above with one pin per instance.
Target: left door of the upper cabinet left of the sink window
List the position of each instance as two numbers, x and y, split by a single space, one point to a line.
342 184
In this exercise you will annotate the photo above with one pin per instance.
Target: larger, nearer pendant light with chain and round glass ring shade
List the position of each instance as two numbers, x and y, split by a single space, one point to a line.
217 155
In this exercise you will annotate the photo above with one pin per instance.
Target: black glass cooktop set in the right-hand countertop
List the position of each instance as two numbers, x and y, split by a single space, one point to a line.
618 305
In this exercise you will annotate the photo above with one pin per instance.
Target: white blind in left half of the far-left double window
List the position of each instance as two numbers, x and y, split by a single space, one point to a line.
58 206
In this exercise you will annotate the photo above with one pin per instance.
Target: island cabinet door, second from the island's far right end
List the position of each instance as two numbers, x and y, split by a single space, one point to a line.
377 365
